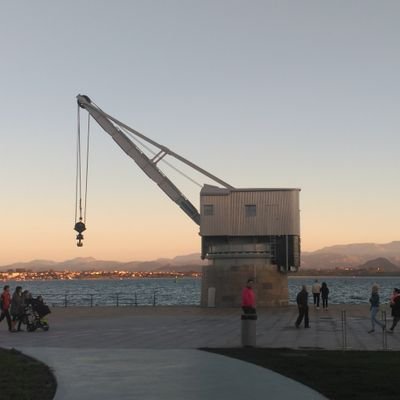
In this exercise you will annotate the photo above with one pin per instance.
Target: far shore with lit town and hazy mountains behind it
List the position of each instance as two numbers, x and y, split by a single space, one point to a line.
365 259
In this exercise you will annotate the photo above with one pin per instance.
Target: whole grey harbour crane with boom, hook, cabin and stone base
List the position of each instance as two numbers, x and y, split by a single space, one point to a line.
245 232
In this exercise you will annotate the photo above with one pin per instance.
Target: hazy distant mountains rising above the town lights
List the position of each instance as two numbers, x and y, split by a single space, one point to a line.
360 255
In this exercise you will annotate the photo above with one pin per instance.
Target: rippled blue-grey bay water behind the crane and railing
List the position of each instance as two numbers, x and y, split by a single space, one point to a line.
186 291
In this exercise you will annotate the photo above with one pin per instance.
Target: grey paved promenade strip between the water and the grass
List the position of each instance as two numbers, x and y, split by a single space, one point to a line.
194 327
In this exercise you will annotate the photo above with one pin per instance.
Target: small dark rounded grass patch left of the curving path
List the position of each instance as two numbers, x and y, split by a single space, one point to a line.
24 378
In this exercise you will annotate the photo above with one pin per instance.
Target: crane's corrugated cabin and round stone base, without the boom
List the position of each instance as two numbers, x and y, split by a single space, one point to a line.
248 233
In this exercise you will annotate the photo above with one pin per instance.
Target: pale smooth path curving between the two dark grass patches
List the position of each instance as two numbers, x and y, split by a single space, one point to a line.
119 374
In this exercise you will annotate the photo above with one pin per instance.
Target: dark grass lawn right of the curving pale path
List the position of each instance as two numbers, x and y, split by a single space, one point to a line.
338 375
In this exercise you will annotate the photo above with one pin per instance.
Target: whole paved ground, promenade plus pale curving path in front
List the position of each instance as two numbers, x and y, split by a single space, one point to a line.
150 352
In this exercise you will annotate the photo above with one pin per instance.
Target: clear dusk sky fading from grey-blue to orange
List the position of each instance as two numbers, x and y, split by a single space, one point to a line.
291 94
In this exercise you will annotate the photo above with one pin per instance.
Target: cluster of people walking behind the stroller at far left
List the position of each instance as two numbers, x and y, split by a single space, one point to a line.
13 307
